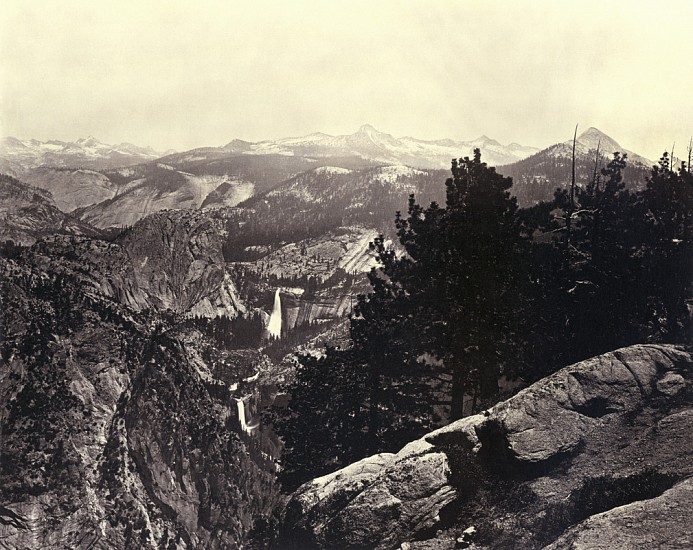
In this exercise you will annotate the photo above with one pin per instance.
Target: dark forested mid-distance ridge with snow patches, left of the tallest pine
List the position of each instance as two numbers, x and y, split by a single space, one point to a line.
318 201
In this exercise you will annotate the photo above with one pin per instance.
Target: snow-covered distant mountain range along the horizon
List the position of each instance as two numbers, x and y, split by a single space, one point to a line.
17 156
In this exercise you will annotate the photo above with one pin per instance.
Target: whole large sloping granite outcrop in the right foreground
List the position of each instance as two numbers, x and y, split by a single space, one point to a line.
597 455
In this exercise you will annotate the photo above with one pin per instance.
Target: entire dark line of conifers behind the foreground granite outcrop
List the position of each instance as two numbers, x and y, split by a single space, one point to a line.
488 290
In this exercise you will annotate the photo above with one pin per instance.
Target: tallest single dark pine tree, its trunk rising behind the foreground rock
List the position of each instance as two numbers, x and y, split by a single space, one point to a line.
467 273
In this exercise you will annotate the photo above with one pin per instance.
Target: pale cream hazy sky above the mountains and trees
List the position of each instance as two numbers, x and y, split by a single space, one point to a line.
183 74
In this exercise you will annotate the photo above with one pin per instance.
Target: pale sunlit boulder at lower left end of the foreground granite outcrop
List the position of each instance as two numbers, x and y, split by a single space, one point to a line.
375 501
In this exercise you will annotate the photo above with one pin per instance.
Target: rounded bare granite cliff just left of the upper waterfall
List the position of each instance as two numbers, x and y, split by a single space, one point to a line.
170 262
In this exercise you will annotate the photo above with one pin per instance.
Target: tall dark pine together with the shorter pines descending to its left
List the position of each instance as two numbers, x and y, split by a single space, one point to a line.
429 341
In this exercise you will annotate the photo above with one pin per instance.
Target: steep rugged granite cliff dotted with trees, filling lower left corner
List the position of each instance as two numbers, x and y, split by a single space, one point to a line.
115 431
